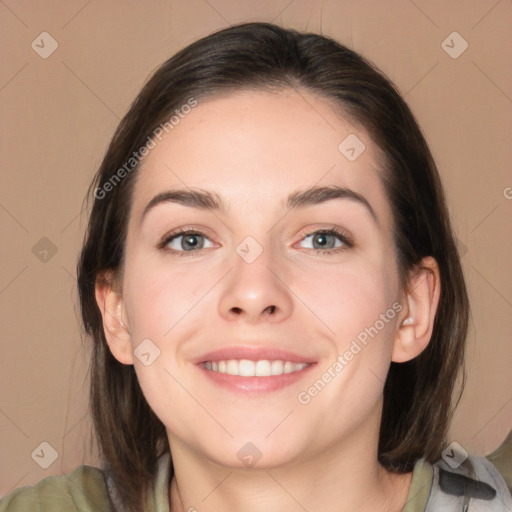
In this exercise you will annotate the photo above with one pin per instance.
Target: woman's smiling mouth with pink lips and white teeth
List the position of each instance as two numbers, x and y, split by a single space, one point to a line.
253 371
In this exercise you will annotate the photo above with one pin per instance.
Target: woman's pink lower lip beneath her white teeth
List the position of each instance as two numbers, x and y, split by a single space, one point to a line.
255 385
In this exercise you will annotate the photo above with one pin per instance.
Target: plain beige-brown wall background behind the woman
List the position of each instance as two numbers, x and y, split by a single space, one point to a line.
59 113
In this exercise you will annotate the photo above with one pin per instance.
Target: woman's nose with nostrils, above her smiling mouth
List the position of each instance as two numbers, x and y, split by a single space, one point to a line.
256 292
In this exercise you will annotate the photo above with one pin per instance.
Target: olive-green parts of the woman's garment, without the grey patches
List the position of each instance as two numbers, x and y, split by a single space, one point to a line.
85 490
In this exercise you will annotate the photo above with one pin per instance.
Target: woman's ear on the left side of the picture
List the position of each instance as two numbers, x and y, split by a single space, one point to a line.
115 323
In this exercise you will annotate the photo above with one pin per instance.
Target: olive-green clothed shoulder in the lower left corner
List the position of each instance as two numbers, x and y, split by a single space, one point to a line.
81 490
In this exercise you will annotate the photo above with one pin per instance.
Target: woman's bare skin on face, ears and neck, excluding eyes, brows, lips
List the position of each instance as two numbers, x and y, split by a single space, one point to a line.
253 149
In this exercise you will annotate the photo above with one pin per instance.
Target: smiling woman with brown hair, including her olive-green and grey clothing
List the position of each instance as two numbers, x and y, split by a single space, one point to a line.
273 291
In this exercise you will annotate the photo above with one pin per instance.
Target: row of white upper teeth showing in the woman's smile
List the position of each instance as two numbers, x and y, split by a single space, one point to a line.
246 368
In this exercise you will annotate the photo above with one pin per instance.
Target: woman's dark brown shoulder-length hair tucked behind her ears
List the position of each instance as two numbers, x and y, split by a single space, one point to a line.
418 395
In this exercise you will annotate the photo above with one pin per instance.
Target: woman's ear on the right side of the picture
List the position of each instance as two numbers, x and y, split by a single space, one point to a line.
421 301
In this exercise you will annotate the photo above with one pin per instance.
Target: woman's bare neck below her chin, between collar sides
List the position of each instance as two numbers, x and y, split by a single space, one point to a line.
343 478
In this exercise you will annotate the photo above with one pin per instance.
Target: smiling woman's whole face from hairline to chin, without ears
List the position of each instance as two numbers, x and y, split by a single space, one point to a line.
264 279
